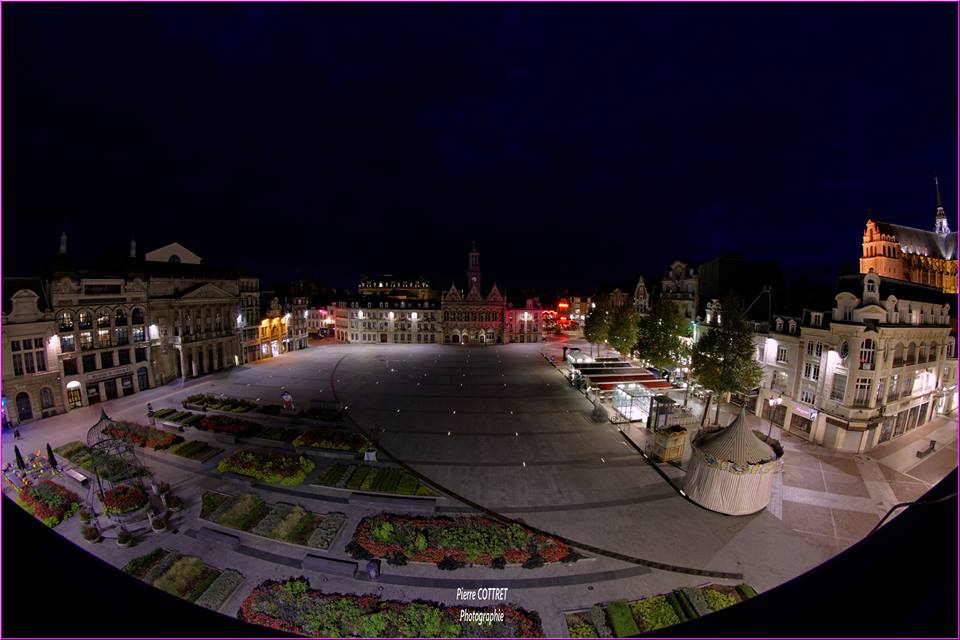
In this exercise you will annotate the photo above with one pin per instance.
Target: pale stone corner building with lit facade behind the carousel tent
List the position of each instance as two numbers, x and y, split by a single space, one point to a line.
880 363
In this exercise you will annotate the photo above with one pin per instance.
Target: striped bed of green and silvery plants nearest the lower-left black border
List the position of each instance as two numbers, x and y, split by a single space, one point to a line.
186 577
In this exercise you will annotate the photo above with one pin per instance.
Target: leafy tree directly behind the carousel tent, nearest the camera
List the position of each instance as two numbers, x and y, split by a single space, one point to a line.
723 359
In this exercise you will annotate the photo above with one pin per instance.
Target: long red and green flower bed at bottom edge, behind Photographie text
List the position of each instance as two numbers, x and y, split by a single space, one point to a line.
294 607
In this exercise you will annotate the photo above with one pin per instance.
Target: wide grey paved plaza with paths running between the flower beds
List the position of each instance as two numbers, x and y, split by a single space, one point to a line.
500 426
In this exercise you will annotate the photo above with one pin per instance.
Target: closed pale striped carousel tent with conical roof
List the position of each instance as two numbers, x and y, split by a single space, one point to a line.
732 468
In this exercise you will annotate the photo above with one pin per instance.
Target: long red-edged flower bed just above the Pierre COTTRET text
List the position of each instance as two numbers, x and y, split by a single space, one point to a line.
470 540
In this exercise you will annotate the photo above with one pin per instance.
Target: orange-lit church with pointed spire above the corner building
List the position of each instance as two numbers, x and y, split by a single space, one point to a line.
915 255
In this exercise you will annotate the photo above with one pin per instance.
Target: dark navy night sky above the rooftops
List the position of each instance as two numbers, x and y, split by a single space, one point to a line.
574 143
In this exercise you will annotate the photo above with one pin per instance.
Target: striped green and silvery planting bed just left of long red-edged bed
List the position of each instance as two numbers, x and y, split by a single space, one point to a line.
284 522
